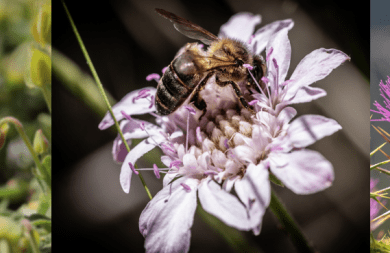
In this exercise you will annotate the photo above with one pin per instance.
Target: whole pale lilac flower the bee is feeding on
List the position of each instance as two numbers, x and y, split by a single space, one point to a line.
231 147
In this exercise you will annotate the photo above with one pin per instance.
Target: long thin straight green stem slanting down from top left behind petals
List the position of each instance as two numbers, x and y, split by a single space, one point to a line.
101 89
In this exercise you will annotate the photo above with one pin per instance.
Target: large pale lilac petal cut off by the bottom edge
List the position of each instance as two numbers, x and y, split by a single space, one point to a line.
167 219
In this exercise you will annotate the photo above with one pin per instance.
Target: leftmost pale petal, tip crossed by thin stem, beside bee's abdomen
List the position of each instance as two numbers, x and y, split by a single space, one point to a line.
129 106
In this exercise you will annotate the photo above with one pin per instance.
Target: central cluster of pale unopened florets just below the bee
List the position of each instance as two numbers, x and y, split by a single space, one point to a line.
226 140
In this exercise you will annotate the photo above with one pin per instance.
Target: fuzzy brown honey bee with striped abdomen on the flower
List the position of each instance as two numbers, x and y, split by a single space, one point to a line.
190 71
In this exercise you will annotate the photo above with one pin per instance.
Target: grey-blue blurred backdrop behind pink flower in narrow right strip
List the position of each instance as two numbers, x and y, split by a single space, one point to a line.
379 70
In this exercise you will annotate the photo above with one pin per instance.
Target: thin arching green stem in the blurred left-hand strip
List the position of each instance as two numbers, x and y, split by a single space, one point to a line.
19 128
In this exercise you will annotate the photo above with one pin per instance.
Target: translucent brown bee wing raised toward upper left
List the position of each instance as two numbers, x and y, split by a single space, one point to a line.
188 28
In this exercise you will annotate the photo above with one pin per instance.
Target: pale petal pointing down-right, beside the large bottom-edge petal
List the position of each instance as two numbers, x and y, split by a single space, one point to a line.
223 205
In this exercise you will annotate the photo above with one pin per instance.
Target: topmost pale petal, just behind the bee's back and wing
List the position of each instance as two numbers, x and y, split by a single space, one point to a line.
240 26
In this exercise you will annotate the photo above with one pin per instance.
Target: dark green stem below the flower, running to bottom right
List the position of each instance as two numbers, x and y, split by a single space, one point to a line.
297 237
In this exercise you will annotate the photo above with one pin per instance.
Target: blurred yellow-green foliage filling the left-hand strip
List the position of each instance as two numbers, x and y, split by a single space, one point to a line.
25 85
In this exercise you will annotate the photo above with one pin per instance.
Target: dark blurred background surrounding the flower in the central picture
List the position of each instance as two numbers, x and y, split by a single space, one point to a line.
126 41
